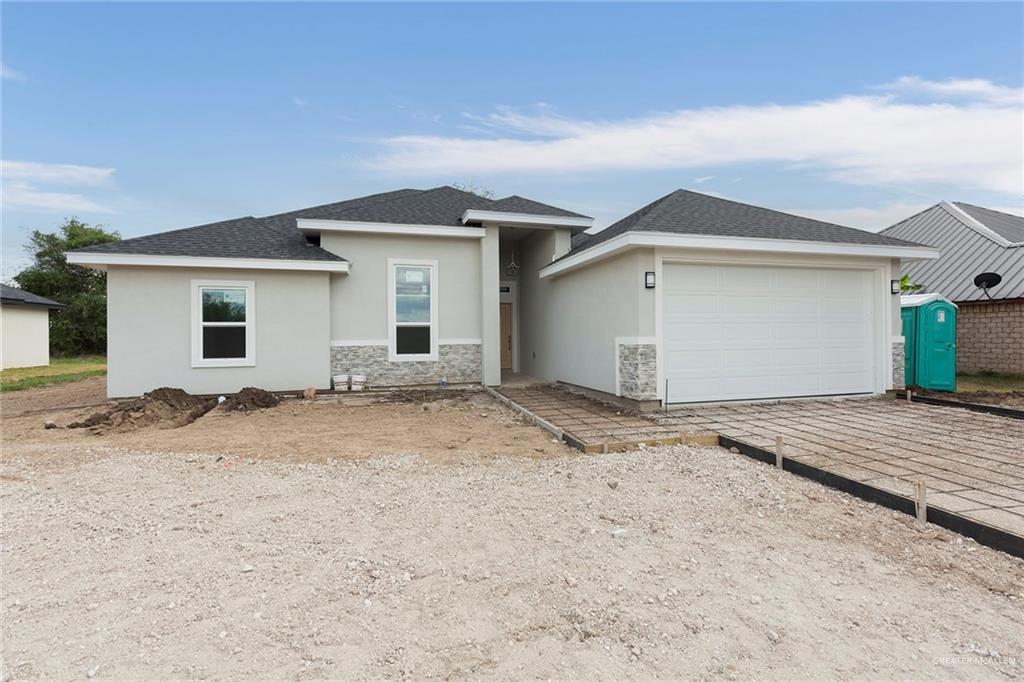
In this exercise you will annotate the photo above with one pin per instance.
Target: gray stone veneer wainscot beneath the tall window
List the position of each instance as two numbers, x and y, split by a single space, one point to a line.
459 363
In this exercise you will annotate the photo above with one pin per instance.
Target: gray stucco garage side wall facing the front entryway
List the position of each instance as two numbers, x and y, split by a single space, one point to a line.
572 323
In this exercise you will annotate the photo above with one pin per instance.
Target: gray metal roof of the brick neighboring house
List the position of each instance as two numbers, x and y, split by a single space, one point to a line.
966 252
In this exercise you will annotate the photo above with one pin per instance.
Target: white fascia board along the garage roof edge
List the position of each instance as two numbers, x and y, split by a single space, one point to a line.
714 242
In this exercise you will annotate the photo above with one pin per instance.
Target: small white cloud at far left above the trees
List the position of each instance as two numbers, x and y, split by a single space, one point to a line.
22 181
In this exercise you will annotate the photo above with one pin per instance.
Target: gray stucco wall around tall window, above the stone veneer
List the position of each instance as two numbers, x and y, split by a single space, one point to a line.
359 301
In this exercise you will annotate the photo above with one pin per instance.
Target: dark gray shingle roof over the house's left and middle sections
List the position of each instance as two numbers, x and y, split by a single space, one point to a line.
277 236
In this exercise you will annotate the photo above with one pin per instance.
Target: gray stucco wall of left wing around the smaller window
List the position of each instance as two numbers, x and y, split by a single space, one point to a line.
149 318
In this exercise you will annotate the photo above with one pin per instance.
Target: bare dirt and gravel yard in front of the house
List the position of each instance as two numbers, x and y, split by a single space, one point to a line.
316 541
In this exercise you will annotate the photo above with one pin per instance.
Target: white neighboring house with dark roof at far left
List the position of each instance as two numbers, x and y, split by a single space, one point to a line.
25 328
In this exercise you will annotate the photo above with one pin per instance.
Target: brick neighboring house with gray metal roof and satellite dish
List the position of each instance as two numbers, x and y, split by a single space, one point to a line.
972 241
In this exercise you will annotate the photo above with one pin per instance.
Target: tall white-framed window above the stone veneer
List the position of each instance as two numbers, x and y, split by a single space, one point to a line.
412 300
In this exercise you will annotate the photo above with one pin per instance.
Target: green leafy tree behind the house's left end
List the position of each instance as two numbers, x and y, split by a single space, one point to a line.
80 328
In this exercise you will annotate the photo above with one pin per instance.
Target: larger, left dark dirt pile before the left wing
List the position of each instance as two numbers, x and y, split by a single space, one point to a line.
164 408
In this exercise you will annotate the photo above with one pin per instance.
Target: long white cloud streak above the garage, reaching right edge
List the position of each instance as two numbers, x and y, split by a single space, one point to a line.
859 140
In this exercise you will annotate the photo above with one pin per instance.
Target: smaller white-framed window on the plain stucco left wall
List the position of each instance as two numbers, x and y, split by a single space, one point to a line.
224 323
